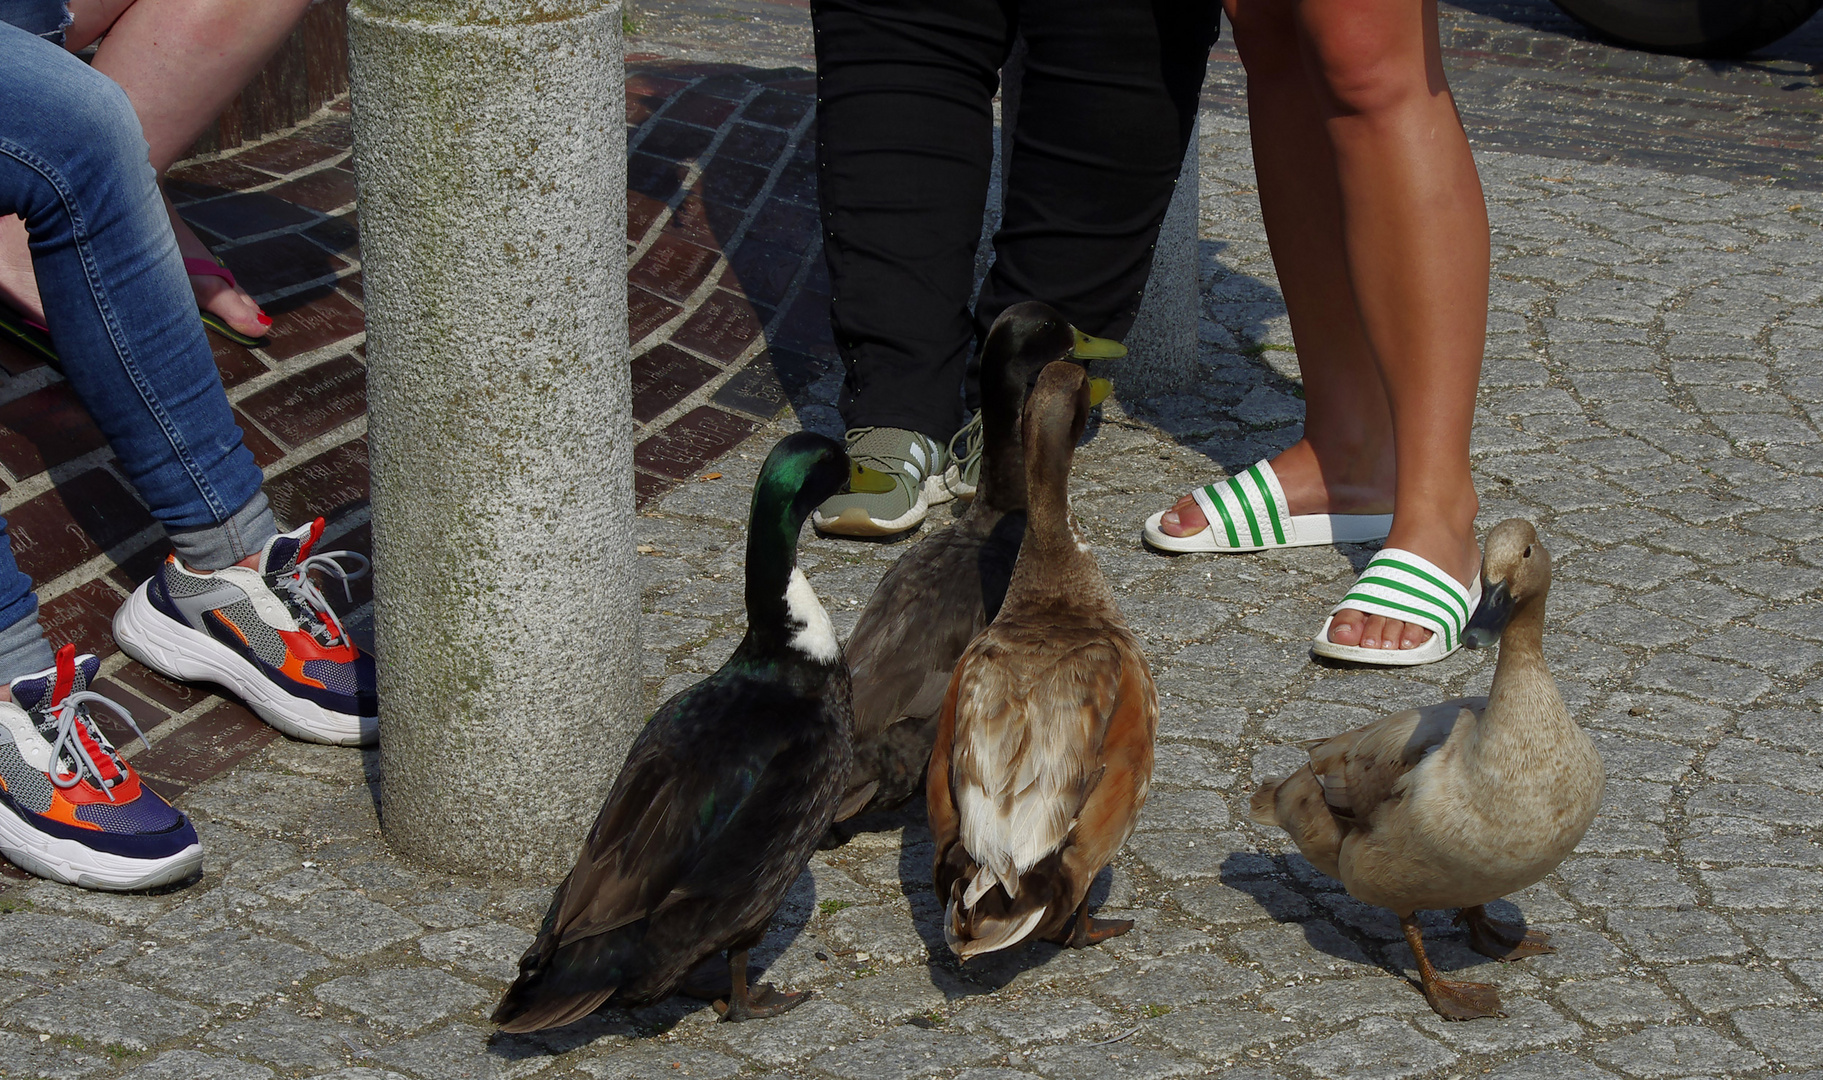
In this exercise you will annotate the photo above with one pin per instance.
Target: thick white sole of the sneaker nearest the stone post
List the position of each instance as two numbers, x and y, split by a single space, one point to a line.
176 650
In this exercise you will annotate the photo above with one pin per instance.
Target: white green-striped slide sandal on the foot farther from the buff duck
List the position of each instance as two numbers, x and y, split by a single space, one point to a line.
1250 514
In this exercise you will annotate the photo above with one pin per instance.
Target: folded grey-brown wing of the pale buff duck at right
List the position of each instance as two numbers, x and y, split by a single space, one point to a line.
1361 771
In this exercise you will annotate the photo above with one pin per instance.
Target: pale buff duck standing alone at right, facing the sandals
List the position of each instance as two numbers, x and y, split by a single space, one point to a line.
1457 804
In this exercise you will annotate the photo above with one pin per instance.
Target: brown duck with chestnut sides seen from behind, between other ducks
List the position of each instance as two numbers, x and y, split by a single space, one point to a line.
1044 745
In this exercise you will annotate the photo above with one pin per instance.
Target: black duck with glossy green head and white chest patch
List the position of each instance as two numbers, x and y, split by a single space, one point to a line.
723 796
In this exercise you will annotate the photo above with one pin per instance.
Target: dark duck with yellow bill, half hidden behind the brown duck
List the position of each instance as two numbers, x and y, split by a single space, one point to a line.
942 594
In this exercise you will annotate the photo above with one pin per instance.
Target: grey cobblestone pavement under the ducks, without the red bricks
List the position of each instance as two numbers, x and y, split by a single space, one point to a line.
1653 399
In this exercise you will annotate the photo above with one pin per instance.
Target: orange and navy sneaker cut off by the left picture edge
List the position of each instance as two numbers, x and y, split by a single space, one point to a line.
72 809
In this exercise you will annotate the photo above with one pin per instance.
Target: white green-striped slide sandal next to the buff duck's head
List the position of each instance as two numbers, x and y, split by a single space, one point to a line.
1410 588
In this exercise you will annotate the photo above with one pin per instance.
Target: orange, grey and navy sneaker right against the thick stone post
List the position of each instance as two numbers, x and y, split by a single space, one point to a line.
269 636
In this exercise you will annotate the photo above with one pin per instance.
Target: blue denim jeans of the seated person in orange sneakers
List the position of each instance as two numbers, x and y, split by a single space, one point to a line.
121 315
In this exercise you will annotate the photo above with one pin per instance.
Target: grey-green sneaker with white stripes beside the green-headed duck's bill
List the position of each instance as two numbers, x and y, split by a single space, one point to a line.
896 477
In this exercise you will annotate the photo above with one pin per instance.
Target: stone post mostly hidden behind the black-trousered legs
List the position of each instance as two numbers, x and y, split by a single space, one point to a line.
1162 344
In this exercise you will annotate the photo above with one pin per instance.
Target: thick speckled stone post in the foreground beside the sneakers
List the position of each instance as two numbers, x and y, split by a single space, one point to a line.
491 158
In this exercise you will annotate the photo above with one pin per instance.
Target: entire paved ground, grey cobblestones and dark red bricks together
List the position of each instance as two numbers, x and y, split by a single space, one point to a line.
1651 399
